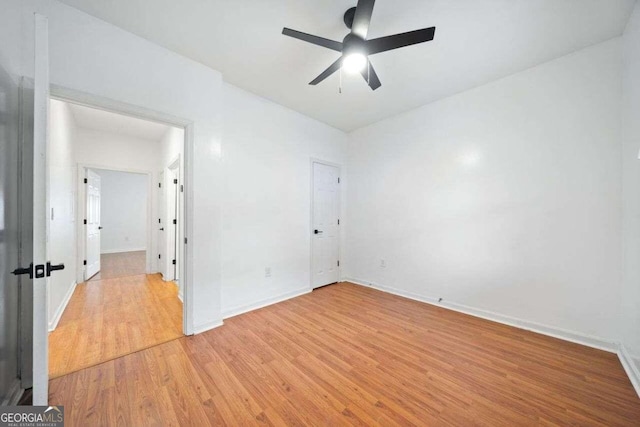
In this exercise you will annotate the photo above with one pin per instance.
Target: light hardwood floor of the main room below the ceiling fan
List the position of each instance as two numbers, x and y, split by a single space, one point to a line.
349 355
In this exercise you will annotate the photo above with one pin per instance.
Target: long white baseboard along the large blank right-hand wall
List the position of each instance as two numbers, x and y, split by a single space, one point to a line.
563 334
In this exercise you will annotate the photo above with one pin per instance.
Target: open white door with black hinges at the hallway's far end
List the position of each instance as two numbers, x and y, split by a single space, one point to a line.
93 223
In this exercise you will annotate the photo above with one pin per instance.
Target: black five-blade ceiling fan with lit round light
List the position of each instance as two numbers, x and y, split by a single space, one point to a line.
355 47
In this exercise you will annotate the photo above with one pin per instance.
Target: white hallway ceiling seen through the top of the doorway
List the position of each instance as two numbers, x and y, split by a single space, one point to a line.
105 121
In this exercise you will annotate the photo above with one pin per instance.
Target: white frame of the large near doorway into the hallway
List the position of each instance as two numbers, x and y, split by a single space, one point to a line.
119 107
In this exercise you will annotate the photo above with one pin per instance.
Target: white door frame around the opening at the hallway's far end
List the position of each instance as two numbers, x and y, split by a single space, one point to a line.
81 230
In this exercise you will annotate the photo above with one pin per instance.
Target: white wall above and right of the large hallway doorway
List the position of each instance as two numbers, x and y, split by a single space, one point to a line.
93 57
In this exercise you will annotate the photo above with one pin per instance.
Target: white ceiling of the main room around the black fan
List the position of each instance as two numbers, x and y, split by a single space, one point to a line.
477 41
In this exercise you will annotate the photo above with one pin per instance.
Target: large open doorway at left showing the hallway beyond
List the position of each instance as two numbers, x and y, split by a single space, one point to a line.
104 168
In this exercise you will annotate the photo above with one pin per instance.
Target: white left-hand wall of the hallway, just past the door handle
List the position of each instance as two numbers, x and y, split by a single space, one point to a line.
62 221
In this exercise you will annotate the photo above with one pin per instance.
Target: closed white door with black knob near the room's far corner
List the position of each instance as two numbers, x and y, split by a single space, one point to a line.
325 233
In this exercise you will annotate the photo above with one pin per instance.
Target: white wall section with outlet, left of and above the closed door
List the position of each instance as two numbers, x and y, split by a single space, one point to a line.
267 199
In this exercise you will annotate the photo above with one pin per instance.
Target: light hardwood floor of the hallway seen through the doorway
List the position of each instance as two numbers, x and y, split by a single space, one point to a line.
110 318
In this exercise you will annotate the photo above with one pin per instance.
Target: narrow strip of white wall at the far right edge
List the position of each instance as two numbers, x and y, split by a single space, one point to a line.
630 308
